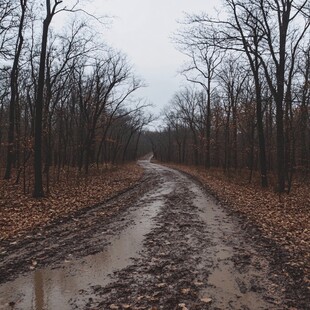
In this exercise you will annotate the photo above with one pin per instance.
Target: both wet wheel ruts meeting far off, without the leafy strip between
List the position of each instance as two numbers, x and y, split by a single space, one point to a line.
227 284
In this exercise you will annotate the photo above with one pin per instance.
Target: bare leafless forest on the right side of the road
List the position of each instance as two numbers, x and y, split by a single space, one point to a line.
246 106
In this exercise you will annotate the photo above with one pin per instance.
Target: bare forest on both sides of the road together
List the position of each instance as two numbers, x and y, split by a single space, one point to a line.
67 99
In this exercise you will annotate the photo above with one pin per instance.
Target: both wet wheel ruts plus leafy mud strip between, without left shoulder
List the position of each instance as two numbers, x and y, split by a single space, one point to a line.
188 252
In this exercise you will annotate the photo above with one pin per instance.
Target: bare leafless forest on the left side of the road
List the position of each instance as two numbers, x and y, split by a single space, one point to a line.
66 98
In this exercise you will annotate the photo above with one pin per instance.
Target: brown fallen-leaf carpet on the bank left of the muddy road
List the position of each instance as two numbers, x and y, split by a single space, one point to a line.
20 213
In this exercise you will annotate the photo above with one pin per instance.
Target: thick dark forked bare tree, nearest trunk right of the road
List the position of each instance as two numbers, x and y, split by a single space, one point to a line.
274 30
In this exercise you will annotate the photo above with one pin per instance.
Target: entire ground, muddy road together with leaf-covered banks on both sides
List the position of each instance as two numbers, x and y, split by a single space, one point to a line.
162 241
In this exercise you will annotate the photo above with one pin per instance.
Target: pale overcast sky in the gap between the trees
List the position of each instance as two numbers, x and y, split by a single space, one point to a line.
142 29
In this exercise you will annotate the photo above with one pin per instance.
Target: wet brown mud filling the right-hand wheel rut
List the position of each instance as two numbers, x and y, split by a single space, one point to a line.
228 287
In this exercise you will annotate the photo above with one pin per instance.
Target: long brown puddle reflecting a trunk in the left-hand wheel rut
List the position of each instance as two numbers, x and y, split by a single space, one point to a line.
55 288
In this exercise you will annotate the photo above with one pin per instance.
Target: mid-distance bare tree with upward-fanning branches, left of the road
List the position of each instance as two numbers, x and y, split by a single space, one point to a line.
101 96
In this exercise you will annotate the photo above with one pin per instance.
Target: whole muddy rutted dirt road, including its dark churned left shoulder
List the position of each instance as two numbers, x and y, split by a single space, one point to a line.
166 244
